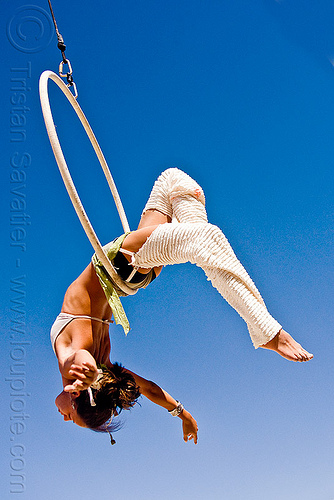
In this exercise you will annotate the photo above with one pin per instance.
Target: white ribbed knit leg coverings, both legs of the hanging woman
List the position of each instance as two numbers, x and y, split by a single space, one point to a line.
194 240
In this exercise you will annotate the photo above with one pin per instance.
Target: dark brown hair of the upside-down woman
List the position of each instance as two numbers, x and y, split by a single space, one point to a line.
118 392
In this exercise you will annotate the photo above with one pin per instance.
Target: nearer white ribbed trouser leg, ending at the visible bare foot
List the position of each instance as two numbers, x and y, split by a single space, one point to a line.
205 245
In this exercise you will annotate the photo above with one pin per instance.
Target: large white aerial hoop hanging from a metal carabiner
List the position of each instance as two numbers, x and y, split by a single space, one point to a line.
61 162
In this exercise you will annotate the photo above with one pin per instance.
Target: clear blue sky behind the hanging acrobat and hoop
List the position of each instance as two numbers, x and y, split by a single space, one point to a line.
240 95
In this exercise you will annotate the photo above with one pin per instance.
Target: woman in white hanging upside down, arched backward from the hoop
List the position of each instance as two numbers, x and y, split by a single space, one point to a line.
173 229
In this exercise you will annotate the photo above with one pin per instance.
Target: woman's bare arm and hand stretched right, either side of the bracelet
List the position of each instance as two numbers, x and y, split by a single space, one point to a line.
160 397
